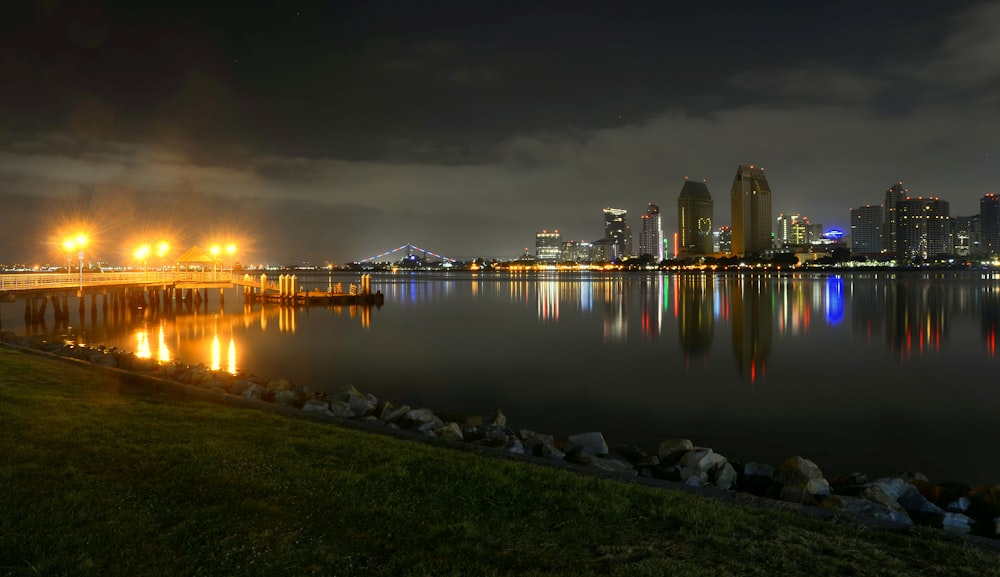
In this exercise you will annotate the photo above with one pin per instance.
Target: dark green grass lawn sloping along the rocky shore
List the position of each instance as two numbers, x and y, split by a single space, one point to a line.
98 477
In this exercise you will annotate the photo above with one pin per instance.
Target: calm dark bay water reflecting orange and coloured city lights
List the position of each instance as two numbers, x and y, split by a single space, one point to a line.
877 373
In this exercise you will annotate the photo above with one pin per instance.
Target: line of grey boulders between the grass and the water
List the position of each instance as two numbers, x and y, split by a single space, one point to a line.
904 500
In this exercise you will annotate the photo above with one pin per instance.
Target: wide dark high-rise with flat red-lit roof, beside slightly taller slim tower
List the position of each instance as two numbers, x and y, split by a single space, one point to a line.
923 229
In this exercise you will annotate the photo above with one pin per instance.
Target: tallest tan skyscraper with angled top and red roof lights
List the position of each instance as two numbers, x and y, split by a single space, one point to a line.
751 206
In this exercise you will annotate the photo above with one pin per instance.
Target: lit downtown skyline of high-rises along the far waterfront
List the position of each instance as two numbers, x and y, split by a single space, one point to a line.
903 230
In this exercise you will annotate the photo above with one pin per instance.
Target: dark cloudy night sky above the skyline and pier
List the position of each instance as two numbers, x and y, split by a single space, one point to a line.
331 131
